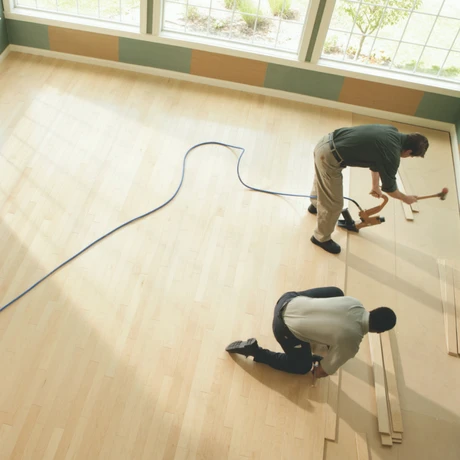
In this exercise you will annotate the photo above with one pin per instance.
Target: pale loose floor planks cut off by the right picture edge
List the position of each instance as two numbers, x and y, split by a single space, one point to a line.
446 280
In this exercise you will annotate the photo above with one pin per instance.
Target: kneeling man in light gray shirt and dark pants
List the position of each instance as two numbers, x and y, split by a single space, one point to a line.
322 316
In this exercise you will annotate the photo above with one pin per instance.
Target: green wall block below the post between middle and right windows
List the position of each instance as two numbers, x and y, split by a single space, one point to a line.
294 80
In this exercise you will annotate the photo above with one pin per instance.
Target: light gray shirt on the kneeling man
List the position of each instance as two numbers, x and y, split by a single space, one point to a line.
339 322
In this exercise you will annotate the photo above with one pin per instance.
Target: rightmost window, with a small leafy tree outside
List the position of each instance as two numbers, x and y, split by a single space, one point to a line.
419 37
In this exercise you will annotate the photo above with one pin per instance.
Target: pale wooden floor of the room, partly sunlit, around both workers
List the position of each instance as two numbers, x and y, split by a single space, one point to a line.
120 355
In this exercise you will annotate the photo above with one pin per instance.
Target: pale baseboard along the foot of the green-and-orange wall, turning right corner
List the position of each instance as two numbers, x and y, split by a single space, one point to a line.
389 116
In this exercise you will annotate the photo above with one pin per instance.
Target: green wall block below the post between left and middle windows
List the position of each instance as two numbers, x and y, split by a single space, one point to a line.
155 55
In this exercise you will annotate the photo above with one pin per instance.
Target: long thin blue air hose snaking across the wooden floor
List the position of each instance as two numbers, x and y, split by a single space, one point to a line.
158 208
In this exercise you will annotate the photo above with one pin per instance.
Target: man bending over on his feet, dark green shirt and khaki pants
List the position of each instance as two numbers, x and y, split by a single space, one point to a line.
377 147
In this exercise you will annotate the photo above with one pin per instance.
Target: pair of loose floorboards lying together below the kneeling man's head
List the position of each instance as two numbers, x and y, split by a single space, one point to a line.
386 390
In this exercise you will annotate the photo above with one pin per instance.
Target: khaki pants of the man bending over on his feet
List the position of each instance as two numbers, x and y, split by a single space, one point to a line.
328 186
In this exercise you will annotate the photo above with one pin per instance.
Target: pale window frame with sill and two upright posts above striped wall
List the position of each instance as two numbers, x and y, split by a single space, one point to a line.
315 63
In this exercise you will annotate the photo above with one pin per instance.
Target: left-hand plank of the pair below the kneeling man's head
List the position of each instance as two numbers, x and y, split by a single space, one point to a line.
379 384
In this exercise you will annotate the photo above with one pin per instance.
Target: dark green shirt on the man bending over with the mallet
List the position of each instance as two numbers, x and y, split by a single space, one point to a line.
377 147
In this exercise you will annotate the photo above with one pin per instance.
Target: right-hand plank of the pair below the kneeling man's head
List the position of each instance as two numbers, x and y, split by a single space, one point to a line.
392 386
